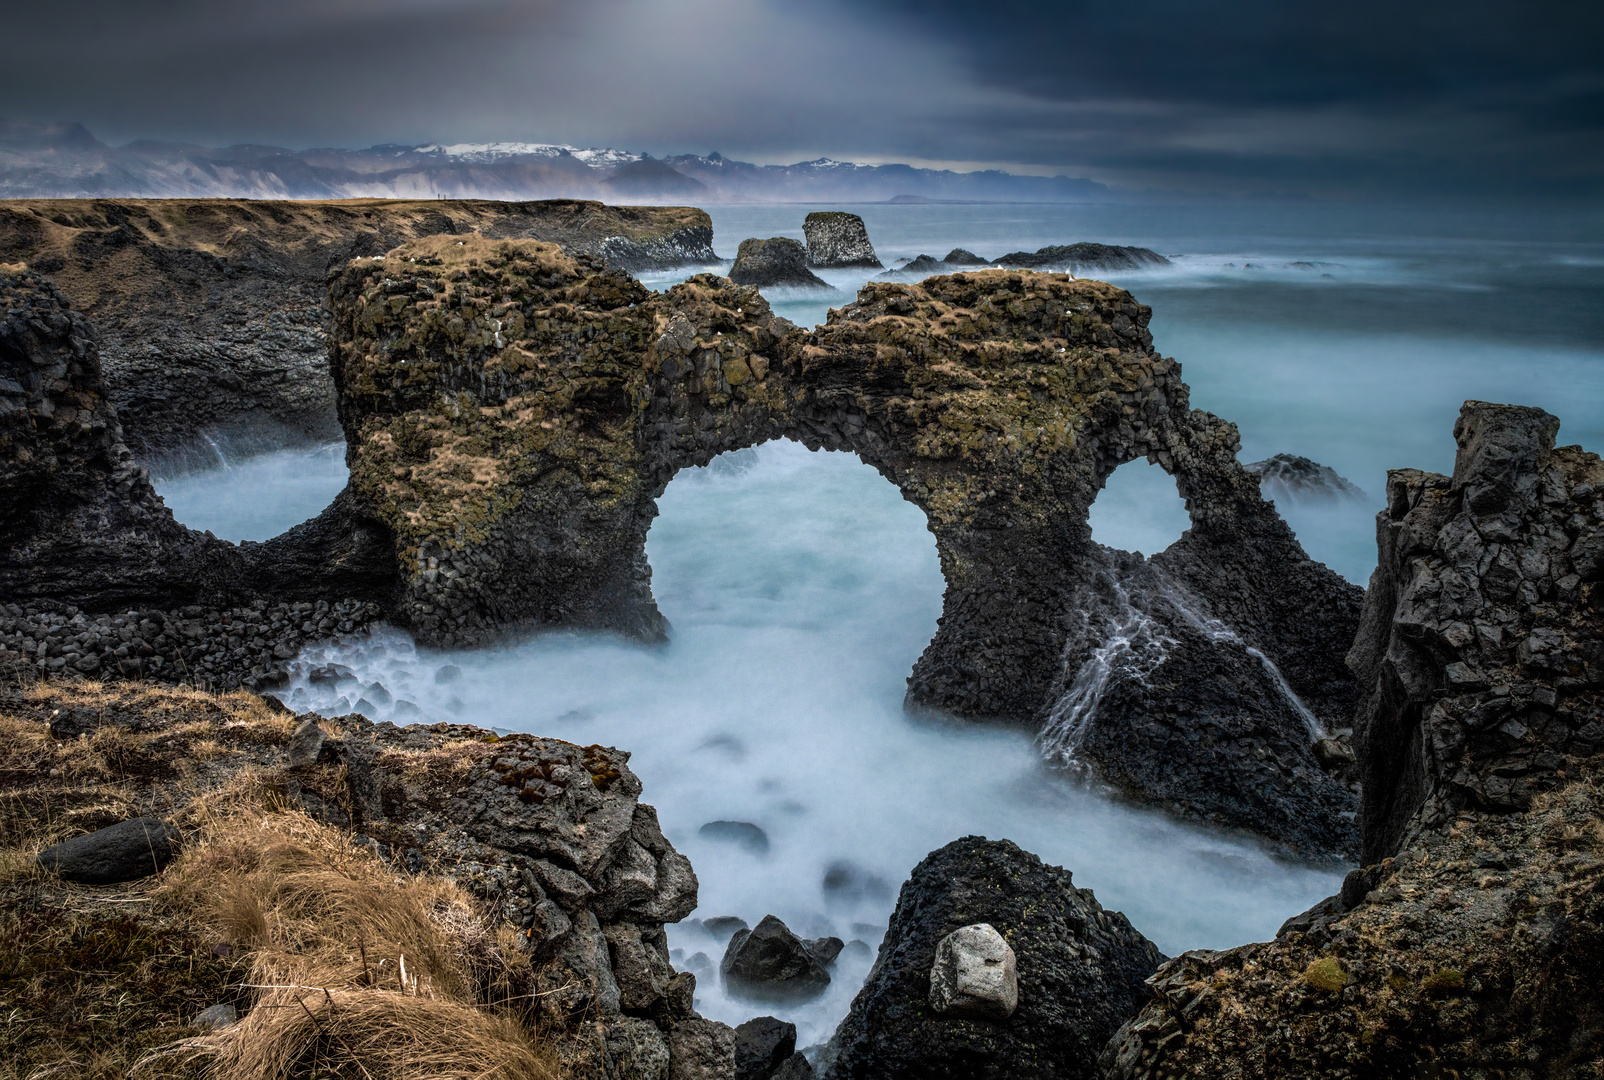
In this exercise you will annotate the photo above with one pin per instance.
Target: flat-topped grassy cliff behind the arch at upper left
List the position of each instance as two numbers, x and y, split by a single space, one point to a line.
213 312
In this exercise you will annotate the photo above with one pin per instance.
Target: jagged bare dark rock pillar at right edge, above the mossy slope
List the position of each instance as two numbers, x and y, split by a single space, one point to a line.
1483 646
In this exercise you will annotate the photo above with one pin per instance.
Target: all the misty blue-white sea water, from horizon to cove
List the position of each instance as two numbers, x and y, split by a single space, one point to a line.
801 588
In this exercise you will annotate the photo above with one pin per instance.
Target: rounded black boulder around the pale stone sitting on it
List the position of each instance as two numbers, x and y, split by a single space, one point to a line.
1082 975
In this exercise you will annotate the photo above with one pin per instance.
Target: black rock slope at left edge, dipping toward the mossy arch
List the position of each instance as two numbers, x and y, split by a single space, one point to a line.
81 527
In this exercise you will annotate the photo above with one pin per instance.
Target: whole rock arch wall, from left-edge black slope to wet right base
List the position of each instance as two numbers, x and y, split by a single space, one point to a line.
512 415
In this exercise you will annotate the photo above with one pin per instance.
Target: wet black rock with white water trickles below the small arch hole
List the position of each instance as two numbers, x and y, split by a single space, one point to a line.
1175 708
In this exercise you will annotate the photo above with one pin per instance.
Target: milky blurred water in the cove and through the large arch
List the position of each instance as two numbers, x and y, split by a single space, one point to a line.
801 591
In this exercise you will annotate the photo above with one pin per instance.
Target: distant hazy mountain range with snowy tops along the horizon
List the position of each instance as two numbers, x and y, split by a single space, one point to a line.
65 161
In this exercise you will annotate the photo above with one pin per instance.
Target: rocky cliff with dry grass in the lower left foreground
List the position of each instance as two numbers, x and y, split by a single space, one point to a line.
541 838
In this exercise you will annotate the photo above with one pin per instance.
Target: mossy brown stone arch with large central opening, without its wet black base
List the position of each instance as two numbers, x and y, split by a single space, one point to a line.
514 413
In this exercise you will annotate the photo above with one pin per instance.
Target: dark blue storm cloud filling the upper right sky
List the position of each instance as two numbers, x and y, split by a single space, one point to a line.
1369 94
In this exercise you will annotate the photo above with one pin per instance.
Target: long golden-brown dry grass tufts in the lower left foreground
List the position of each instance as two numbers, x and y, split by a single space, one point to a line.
357 970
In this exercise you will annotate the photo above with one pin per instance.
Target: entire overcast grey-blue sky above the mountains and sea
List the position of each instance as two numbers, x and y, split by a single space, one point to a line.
1356 99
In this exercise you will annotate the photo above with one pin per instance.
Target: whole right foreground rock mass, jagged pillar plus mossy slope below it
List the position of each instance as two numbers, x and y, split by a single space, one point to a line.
1470 941
